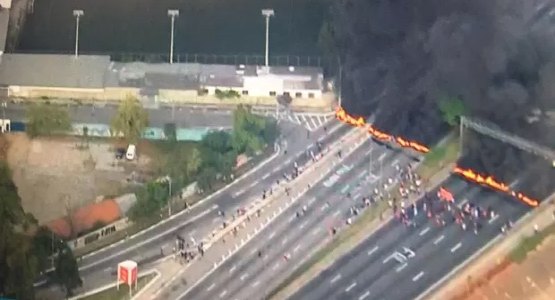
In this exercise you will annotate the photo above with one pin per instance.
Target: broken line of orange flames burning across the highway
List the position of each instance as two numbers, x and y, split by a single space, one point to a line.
469 174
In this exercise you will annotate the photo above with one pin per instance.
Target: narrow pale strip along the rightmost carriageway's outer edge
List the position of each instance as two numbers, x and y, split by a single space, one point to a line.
491 255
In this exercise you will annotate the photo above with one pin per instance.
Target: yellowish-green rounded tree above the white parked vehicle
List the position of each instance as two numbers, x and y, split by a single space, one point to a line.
130 120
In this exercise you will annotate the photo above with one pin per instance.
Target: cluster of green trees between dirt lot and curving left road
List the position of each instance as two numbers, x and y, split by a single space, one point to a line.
212 159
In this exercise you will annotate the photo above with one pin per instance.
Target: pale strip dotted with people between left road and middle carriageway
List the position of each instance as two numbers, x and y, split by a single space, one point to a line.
223 244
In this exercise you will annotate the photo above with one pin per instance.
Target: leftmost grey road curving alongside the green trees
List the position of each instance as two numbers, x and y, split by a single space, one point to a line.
203 218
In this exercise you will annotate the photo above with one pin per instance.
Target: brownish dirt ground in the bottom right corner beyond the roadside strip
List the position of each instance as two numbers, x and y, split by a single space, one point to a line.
533 279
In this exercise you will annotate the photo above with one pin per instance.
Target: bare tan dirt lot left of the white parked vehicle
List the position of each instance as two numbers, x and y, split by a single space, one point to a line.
57 174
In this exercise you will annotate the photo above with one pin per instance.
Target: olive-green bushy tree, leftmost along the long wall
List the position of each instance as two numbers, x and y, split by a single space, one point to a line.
45 119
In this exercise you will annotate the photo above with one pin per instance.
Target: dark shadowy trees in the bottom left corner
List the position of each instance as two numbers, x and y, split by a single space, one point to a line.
26 250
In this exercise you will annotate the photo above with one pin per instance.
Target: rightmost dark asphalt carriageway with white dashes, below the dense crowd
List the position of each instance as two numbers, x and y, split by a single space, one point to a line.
367 273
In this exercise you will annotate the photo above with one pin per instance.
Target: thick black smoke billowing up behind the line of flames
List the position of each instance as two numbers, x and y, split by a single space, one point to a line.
400 57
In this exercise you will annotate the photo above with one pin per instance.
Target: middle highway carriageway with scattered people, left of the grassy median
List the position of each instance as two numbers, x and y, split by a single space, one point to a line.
248 276
